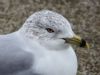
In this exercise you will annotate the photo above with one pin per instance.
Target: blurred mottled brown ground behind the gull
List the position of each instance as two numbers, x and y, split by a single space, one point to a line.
84 15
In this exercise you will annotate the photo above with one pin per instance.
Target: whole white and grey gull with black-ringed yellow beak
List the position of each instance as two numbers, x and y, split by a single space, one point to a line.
42 46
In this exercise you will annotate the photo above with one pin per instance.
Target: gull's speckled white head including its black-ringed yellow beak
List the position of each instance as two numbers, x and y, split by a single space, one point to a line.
51 30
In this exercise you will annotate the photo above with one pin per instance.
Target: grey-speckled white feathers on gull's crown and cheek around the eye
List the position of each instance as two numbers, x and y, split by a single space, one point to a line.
37 23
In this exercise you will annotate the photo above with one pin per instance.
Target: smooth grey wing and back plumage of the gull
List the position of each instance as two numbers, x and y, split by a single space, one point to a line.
13 59
